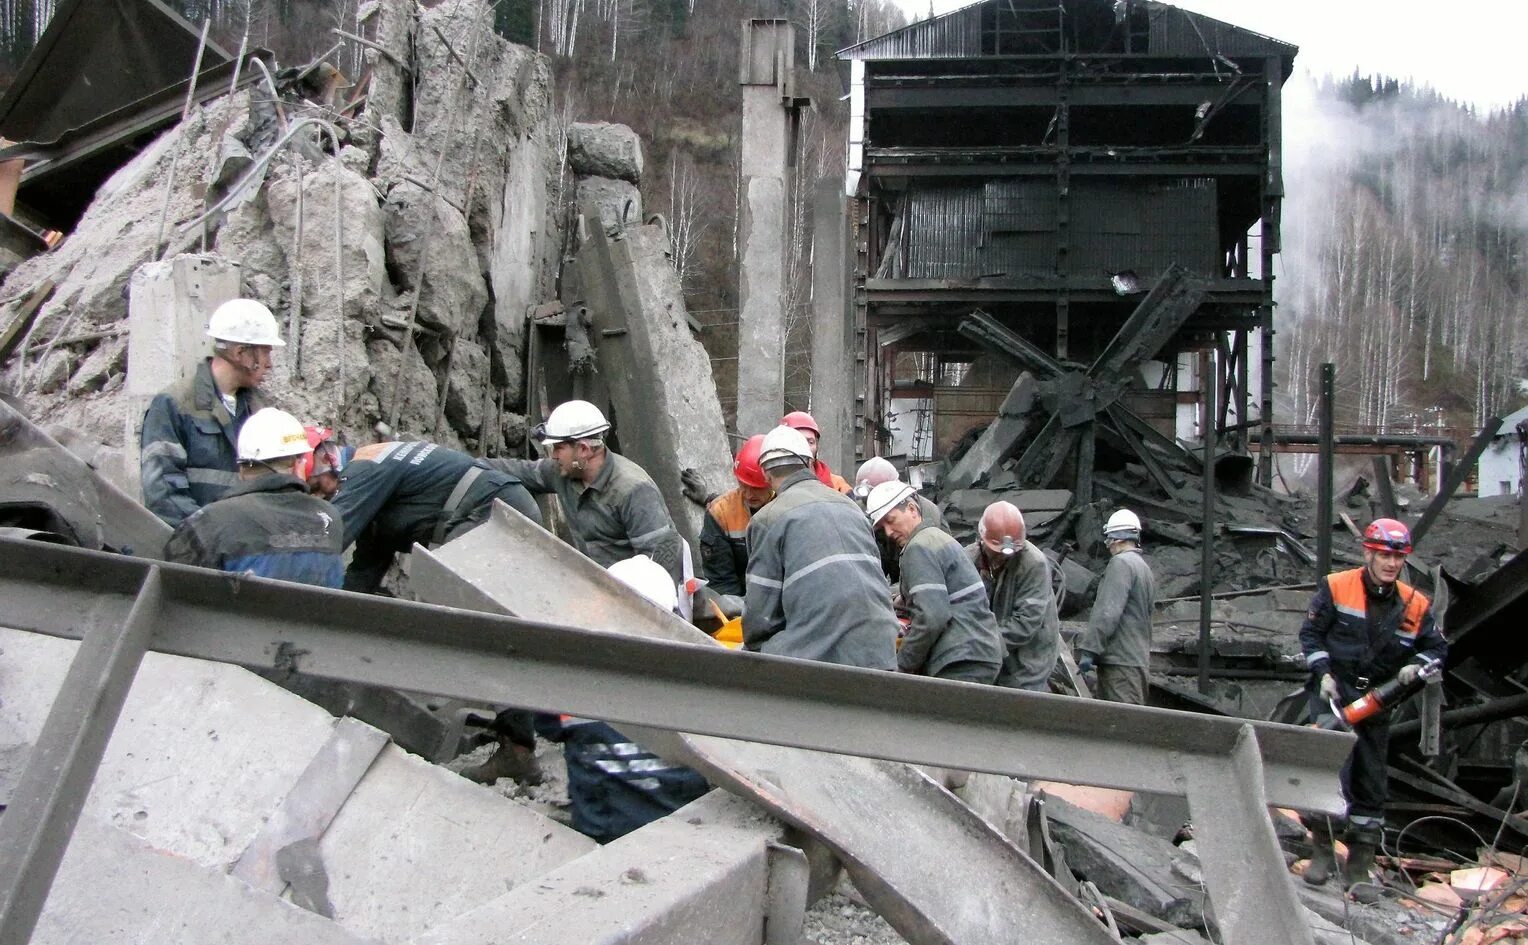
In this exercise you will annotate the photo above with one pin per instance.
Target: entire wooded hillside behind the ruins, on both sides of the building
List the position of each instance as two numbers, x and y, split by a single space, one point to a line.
1405 229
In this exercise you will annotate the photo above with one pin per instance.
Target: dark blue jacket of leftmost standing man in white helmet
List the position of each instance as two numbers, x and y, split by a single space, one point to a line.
189 450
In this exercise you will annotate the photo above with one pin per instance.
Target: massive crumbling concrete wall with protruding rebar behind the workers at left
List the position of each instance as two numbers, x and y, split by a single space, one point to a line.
441 218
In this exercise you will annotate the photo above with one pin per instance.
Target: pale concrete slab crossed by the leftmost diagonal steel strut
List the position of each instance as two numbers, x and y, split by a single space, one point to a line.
187 770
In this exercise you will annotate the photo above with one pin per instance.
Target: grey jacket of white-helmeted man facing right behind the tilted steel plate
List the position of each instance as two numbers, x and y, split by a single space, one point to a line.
617 516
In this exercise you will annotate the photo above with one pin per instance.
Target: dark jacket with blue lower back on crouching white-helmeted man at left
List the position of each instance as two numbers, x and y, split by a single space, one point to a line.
270 528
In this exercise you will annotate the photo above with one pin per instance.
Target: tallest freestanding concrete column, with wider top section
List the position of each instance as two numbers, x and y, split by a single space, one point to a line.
769 114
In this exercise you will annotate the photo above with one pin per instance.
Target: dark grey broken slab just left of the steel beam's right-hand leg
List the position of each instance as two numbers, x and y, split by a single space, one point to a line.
1127 865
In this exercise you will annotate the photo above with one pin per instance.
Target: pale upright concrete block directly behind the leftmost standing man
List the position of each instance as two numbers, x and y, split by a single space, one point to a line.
169 304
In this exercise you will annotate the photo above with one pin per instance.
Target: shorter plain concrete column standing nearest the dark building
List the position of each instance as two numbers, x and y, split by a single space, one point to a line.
832 330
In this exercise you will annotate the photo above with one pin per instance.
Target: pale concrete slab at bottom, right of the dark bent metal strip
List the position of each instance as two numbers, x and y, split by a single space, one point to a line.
410 820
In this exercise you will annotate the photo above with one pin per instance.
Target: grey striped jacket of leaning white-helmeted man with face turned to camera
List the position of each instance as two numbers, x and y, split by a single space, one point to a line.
951 620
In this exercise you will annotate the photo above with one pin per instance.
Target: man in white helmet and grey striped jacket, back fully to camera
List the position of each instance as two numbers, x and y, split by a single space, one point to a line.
815 588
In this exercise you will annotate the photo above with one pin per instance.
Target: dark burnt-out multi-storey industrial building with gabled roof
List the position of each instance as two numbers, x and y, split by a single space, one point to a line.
1044 163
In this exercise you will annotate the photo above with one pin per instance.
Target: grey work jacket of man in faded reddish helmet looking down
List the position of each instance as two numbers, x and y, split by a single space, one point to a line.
1025 606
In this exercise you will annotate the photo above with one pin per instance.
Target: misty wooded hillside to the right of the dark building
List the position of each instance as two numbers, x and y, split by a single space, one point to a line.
1405 239
